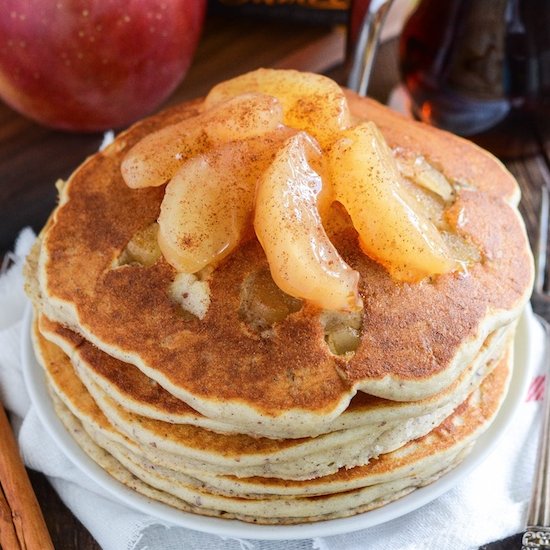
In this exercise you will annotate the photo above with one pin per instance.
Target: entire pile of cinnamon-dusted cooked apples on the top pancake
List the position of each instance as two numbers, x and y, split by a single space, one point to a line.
273 152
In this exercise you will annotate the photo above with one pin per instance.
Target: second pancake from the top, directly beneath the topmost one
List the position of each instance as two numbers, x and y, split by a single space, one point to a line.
132 390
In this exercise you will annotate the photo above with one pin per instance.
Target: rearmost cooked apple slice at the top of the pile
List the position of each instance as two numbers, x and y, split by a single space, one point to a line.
311 102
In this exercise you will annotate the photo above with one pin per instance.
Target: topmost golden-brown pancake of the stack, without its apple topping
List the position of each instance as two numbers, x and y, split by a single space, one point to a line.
416 338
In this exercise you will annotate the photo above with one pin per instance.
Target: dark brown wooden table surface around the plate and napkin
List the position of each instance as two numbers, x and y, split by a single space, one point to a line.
33 157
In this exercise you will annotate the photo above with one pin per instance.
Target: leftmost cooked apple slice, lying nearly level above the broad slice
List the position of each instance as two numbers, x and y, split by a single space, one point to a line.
157 157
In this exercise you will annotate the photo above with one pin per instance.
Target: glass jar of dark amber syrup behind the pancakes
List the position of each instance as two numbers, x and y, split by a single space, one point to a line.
481 69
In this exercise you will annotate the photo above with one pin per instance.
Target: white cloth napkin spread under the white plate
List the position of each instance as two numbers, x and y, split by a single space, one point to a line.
489 504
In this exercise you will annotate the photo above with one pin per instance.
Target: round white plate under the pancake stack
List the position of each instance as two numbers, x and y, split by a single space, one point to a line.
36 385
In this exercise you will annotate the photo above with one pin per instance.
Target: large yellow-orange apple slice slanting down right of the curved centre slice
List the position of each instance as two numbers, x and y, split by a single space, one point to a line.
366 181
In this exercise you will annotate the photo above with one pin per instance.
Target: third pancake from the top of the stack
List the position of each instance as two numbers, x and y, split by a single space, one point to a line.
196 449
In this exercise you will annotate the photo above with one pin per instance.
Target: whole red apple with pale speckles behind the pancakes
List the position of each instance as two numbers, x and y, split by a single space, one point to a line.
94 64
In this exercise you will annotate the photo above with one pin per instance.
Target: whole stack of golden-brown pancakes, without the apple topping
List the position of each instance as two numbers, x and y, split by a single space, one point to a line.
218 418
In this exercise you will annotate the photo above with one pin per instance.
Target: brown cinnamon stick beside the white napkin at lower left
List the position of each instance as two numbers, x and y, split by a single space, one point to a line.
26 517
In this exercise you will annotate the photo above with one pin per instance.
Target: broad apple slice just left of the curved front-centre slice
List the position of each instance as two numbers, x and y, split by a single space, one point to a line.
207 206
